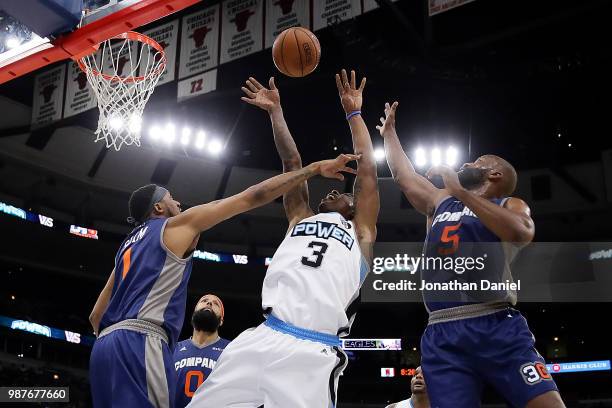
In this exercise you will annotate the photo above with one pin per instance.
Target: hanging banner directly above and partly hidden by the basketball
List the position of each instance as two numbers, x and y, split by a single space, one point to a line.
282 14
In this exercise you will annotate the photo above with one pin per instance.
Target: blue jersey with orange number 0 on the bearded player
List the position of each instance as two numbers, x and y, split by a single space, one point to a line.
193 365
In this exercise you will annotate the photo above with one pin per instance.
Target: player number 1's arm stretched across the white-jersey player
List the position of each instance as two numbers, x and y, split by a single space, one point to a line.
182 229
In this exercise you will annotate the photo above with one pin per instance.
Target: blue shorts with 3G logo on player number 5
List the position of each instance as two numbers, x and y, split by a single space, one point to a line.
460 356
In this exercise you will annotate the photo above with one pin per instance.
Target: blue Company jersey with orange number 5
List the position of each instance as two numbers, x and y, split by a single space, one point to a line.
456 234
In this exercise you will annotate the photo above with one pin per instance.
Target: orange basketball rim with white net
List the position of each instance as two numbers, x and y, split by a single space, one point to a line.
123 72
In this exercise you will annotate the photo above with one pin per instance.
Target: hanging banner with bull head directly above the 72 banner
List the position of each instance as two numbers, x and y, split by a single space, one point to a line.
199 42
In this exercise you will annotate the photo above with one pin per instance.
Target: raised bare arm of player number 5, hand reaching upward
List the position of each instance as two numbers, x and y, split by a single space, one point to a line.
418 190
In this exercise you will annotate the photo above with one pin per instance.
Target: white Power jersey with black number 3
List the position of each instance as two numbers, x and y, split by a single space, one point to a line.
315 275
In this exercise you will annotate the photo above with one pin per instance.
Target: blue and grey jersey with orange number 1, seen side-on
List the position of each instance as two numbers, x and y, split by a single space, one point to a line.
150 281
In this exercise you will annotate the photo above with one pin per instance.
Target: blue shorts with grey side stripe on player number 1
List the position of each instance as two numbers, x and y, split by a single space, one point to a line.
130 369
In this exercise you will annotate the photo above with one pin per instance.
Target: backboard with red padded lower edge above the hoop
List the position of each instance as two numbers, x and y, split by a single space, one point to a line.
38 33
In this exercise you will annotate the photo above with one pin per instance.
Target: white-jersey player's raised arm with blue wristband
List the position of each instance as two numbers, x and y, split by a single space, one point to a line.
365 190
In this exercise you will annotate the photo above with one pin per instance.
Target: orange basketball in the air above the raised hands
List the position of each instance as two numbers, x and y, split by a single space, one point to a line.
296 52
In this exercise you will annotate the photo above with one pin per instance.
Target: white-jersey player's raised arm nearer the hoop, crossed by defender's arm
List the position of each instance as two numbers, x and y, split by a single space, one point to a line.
296 200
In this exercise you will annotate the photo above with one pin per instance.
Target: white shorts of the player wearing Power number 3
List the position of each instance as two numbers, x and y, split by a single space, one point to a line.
263 366
